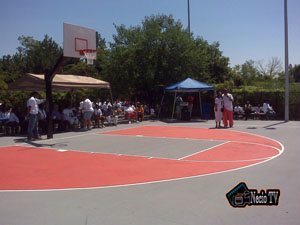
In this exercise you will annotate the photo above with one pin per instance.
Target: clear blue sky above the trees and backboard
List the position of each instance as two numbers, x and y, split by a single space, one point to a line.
245 29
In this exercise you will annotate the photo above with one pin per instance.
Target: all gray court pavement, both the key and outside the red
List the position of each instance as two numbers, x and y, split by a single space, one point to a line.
198 200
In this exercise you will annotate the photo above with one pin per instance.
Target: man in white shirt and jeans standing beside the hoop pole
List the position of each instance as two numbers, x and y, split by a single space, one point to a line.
32 113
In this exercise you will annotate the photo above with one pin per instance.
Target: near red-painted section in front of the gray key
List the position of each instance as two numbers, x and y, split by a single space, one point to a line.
24 168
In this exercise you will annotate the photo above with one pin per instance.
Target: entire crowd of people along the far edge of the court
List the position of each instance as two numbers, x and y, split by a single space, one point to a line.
87 114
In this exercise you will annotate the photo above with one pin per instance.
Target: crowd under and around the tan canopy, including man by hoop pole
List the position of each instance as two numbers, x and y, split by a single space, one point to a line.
85 116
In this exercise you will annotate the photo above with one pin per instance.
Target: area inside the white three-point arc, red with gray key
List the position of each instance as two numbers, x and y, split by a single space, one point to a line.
131 156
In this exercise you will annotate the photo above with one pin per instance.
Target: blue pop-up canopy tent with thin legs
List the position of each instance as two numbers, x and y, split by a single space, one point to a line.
187 85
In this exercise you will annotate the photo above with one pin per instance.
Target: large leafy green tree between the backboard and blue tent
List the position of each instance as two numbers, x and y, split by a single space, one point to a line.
161 52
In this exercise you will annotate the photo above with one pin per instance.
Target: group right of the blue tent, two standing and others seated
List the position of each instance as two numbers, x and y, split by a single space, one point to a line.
224 110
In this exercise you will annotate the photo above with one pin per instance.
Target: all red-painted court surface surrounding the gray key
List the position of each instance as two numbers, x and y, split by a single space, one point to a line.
30 168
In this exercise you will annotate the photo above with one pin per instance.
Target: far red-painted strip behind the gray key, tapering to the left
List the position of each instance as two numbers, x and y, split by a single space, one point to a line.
195 133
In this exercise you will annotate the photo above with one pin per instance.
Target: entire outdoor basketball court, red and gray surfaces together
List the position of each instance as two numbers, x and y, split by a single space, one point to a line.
150 173
